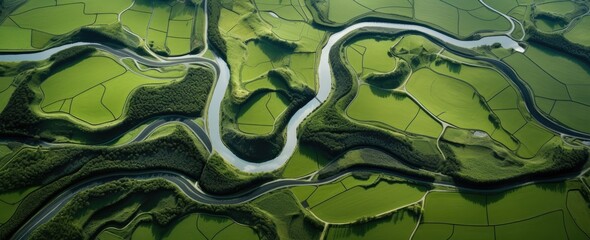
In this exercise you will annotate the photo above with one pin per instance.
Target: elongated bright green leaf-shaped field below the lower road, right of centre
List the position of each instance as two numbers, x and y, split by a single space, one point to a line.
363 202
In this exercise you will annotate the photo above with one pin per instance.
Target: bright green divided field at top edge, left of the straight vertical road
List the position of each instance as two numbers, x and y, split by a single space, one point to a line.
171 28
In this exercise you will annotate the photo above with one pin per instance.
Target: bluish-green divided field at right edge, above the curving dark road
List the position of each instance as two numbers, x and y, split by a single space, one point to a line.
554 79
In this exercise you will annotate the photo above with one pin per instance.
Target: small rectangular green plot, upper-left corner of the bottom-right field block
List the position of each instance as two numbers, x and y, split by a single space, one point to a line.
456 208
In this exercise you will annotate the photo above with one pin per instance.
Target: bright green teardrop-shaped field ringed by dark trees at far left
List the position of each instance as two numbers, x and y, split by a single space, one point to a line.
101 97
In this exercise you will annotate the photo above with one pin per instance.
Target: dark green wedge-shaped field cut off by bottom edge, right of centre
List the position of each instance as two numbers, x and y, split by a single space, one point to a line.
397 226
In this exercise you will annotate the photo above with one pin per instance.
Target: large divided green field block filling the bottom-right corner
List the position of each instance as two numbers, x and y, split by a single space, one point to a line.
505 215
